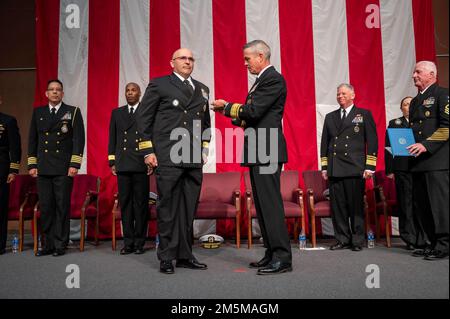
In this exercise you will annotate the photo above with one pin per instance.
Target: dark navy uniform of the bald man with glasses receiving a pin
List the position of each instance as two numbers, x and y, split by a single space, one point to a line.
170 106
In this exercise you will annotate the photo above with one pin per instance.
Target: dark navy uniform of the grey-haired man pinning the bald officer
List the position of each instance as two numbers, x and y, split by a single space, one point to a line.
262 114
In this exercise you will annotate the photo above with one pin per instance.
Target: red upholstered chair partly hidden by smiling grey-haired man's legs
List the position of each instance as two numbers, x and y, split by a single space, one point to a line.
318 203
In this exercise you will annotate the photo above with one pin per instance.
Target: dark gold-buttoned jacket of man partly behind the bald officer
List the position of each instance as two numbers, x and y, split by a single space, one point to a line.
123 147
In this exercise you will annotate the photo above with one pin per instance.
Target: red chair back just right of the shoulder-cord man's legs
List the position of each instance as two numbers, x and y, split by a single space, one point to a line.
82 184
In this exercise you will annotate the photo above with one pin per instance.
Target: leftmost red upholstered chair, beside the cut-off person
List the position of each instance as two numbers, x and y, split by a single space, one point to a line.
22 198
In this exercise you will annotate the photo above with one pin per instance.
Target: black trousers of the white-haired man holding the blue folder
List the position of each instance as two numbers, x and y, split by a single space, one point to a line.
430 196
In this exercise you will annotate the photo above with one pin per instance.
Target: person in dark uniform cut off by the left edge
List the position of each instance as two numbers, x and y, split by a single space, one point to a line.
10 152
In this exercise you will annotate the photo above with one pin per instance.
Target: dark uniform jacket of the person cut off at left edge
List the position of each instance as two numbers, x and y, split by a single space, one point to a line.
10 149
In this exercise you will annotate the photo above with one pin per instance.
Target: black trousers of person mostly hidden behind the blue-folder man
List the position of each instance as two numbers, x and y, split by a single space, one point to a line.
410 230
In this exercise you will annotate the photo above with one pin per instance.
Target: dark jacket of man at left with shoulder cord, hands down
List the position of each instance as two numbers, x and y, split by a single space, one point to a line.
56 145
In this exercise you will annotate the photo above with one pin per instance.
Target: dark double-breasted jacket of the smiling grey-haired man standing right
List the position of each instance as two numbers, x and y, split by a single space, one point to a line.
347 150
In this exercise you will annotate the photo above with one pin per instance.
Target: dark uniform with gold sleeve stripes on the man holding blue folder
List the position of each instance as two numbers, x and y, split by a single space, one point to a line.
429 122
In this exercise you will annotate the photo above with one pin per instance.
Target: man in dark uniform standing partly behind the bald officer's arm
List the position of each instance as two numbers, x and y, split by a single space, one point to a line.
128 164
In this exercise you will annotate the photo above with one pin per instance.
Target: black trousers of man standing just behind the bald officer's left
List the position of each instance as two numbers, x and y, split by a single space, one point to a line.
133 198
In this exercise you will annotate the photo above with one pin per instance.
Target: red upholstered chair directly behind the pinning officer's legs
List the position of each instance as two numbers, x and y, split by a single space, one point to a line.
292 197
